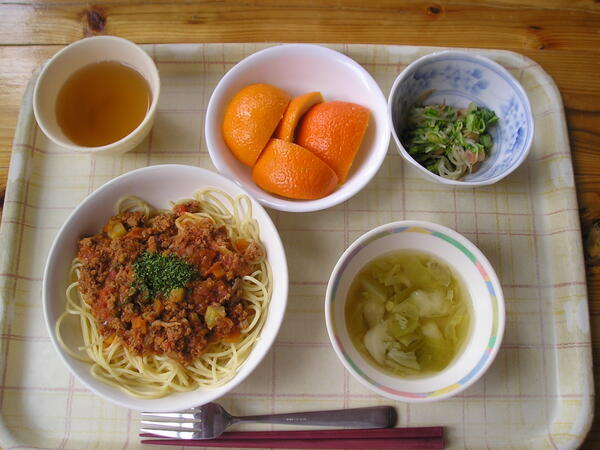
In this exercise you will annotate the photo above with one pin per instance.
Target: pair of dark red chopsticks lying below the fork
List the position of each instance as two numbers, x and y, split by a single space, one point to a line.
400 438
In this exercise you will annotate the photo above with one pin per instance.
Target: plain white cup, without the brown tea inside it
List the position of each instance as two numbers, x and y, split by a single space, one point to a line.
72 58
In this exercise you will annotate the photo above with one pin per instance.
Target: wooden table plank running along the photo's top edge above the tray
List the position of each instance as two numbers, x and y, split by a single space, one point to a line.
452 24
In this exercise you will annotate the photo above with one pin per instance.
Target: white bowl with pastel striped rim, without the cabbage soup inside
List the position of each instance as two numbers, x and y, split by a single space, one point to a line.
488 316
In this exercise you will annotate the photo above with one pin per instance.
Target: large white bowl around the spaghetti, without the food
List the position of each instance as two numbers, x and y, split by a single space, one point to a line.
157 185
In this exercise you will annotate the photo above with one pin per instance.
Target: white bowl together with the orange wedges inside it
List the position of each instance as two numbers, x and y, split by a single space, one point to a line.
274 118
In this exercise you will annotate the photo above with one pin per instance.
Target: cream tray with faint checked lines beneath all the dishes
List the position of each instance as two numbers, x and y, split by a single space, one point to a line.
537 394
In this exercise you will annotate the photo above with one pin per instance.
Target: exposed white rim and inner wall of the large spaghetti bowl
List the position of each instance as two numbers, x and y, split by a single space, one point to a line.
55 278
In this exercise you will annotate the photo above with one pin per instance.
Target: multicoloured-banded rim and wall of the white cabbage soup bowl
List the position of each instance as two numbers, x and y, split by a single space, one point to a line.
376 379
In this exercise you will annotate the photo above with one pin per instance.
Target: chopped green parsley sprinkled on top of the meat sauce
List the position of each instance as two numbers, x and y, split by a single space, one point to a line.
159 274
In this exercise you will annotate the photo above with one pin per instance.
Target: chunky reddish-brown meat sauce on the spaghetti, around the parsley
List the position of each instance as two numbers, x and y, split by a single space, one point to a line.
179 324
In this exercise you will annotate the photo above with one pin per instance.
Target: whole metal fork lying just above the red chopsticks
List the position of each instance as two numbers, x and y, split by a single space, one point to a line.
210 420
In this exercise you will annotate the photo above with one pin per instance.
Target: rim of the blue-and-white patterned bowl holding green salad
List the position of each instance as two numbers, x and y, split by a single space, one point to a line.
475 57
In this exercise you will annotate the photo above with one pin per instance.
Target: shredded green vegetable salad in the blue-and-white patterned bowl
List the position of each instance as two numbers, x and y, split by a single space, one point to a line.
447 141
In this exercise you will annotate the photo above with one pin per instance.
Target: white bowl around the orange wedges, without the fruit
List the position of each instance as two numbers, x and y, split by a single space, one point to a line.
297 69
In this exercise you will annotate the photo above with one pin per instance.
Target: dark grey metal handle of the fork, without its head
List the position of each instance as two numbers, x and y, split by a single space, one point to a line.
369 417
